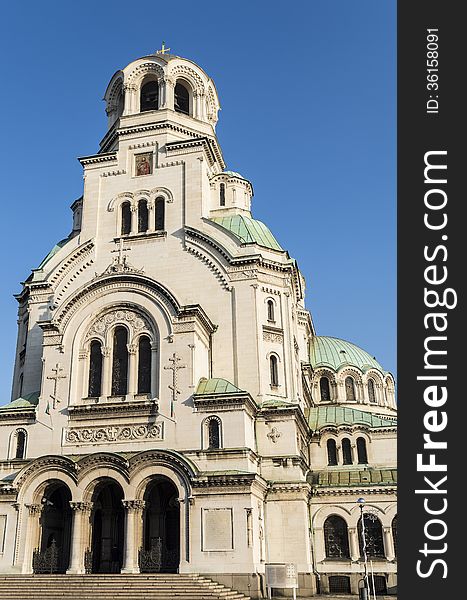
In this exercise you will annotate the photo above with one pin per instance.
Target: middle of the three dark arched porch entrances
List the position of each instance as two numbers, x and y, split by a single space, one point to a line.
108 521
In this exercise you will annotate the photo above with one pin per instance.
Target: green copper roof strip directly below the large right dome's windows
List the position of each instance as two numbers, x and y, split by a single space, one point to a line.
323 416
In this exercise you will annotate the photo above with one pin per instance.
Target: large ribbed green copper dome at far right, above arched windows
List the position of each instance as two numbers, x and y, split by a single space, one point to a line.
335 353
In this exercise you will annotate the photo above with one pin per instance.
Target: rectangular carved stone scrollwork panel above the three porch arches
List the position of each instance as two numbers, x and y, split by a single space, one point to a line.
114 433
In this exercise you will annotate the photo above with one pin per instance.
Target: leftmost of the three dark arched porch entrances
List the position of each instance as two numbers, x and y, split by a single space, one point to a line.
53 553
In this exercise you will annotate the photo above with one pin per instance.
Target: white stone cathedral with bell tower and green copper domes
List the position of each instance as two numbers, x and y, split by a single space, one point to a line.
173 409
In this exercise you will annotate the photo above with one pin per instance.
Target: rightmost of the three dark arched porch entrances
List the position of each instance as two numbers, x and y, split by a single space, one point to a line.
161 528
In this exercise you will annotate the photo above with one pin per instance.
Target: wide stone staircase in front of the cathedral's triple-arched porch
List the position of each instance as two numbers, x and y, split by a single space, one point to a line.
114 587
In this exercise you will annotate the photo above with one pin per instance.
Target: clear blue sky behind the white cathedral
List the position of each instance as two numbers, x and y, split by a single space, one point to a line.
308 96
